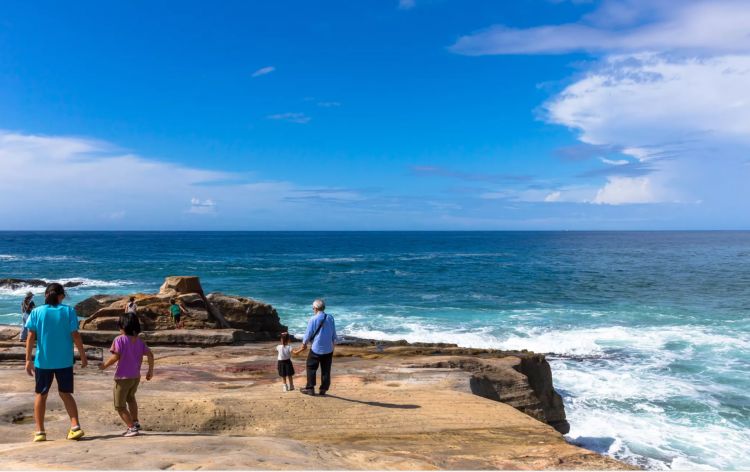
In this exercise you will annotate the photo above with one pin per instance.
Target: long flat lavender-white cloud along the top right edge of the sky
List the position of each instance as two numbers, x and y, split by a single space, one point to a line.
693 26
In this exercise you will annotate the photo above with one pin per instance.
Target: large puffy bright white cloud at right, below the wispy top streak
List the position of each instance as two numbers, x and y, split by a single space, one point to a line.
644 100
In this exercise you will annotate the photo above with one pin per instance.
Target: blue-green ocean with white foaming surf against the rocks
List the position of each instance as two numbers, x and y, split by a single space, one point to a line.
649 332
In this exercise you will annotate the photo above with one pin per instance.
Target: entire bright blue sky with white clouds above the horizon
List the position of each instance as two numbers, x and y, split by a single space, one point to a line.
375 115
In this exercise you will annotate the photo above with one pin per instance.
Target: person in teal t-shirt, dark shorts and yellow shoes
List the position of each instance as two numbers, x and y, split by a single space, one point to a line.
53 328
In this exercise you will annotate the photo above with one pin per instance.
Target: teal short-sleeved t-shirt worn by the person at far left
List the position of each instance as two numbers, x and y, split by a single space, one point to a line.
53 326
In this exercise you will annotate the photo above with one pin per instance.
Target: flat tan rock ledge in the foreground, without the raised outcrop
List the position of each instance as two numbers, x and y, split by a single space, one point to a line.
393 406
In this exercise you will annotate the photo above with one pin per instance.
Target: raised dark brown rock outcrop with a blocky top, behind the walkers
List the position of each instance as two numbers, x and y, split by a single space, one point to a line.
201 312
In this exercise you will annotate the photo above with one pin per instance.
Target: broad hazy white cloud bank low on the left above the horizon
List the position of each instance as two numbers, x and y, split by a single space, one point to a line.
63 182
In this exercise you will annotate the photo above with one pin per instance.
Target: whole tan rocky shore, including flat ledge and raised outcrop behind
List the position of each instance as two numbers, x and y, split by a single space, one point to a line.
395 405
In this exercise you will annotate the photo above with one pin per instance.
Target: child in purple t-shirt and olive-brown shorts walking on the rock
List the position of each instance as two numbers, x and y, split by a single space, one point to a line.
127 351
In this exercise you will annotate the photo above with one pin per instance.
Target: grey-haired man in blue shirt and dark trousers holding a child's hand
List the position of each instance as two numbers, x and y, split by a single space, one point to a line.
321 336
